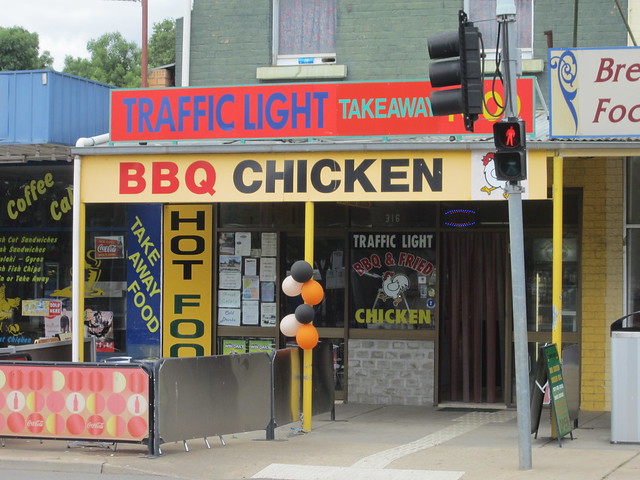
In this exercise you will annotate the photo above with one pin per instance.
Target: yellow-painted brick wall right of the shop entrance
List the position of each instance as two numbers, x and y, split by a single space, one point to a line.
602 269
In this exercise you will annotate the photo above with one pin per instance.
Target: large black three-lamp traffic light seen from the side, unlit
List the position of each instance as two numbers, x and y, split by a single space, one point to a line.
465 70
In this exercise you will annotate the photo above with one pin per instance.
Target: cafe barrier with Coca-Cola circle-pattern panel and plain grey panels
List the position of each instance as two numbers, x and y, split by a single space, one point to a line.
160 401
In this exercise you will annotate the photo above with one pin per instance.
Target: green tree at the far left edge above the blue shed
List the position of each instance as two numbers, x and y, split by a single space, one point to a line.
19 50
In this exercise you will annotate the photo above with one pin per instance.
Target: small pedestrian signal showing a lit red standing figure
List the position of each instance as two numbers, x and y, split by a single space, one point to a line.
510 159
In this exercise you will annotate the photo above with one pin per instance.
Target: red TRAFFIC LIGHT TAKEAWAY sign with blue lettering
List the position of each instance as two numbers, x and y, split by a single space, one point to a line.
294 111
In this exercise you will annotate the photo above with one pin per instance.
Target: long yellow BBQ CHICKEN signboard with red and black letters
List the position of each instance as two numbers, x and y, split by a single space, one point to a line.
300 176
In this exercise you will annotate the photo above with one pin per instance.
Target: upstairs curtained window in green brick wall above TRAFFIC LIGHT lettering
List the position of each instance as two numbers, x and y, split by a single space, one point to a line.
304 32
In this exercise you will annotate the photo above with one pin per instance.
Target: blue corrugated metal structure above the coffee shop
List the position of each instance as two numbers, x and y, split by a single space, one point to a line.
48 107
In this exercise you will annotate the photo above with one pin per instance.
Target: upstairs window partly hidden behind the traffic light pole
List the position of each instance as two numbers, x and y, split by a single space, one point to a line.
483 14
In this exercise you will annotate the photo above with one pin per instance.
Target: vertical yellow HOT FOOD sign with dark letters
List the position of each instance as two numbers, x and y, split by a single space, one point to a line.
188 266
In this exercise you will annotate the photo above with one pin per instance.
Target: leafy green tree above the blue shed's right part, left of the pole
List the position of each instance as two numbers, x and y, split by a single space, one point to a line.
113 61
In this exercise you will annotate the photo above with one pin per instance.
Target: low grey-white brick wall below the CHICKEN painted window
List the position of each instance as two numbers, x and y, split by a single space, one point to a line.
391 372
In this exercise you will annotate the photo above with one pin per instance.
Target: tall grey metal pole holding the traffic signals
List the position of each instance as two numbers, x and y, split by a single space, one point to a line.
514 189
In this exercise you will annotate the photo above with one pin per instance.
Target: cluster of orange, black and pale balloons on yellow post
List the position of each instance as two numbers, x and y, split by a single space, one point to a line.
300 323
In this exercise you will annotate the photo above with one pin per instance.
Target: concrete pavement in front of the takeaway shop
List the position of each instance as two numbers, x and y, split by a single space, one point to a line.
364 442
